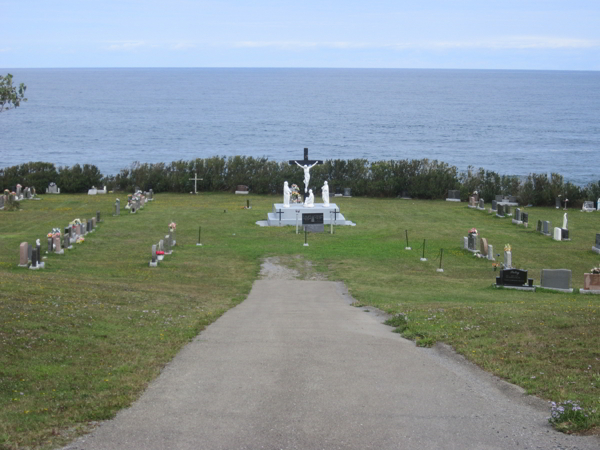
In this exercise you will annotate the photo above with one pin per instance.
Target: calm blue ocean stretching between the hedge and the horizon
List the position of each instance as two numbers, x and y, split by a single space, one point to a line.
512 122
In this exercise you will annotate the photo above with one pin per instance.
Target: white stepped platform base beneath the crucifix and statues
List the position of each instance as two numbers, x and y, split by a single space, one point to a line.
282 216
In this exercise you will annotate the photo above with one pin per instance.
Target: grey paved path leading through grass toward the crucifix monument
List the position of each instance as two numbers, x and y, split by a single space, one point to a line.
296 367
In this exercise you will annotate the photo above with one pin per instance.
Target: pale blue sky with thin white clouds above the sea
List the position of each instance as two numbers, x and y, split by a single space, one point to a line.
472 34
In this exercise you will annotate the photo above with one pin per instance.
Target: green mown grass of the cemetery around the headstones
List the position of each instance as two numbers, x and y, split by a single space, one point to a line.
83 337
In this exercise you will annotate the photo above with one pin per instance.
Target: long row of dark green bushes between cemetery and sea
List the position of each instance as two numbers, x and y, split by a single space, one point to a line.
417 178
